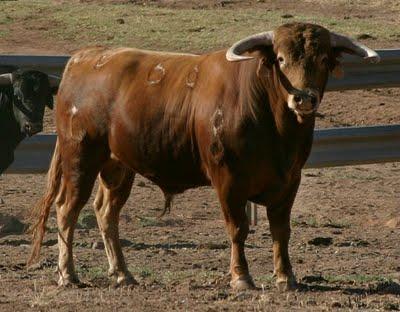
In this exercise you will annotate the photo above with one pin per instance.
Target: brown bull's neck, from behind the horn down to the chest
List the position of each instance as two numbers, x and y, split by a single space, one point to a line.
268 109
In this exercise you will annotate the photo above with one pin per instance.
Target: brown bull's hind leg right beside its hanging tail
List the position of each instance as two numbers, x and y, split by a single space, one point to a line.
80 167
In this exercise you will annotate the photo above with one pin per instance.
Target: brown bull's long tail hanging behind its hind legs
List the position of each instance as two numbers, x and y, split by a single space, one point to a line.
41 211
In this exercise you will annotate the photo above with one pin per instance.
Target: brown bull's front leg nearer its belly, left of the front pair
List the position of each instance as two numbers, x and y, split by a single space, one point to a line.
237 225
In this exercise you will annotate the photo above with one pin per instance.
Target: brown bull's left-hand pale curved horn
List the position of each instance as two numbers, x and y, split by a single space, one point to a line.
262 39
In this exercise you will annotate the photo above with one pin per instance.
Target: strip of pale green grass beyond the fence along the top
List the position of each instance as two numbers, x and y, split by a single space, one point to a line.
191 30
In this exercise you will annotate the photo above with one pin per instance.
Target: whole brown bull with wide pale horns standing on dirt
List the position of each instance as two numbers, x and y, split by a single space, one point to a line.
241 120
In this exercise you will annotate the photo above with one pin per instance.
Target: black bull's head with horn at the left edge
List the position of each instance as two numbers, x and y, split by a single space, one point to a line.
32 91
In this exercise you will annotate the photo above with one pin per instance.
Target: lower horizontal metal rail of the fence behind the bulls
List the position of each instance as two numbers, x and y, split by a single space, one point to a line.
332 147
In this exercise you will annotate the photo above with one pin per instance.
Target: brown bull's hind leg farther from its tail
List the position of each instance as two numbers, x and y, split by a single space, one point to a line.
114 189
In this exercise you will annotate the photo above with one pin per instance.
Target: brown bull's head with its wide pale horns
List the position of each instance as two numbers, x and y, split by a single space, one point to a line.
303 56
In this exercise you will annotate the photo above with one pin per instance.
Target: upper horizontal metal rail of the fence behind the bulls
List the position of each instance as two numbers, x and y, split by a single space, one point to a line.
358 74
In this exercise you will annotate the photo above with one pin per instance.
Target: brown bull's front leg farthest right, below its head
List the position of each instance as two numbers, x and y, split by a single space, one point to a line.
279 220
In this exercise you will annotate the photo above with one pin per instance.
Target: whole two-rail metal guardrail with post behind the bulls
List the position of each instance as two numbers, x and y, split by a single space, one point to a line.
332 147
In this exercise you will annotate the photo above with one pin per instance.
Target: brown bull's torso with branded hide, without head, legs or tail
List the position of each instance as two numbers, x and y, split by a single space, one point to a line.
176 118
